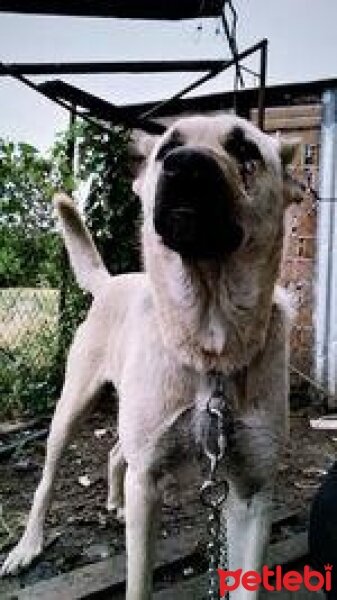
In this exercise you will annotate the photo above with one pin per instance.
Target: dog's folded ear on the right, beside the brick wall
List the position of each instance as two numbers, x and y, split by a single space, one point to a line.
293 189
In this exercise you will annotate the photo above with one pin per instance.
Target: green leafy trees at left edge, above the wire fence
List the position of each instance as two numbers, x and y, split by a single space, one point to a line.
28 246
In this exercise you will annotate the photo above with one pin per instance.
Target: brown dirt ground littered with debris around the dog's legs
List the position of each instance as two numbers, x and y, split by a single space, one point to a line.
79 528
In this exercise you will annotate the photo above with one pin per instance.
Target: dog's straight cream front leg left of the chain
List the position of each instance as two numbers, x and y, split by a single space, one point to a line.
141 514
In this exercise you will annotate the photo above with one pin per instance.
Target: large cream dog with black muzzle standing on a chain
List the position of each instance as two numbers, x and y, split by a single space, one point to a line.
213 191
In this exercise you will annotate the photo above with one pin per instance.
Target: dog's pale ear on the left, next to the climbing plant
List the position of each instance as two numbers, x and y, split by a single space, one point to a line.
140 147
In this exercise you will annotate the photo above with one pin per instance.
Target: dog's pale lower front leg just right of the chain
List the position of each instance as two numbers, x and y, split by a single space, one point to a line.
248 527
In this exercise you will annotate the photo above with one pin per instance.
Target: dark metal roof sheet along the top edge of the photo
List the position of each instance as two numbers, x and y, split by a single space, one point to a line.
131 9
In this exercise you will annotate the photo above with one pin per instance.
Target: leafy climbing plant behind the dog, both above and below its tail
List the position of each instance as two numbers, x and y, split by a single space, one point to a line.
111 210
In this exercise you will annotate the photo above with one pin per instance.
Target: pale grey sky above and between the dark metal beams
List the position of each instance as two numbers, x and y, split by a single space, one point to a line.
302 47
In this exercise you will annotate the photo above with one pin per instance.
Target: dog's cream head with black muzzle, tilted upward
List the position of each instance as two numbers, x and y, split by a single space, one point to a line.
214 186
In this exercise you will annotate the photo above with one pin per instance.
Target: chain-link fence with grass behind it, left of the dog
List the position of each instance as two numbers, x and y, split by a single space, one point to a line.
30 344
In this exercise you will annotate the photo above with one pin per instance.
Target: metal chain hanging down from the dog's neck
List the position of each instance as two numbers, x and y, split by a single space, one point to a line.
214 493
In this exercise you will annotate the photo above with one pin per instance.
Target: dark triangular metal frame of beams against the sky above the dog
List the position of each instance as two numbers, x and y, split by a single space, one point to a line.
71 97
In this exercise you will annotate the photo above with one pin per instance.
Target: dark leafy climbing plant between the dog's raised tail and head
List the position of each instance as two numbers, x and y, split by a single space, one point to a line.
112 210
